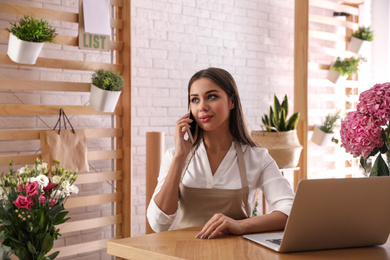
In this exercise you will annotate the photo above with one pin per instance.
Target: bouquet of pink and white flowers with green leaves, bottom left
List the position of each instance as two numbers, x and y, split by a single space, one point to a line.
31 205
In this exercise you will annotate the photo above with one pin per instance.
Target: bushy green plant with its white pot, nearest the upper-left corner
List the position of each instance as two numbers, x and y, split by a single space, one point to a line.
27 37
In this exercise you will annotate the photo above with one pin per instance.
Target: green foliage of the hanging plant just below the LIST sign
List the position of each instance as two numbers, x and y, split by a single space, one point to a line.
108 80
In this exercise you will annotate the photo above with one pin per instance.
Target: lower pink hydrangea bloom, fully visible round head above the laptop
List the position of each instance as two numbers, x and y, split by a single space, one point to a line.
360 134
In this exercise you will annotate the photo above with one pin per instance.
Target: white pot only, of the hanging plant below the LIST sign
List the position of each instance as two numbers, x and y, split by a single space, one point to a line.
103 100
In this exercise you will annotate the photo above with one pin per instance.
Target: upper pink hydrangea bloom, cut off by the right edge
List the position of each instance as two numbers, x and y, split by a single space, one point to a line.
375 102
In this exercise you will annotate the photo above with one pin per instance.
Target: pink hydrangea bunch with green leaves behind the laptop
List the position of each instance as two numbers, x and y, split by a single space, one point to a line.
365 132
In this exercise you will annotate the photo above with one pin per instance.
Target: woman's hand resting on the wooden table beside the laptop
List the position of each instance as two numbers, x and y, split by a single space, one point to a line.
220 223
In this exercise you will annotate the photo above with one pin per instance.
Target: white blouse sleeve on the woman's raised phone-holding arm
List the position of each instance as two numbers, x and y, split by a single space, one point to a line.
158 220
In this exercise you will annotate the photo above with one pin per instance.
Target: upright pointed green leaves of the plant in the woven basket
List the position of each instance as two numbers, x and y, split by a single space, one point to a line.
276 119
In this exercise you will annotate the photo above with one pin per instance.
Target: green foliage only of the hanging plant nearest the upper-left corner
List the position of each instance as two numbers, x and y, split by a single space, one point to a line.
31 29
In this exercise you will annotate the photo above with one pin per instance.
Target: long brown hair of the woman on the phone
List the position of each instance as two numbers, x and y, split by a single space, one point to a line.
225 80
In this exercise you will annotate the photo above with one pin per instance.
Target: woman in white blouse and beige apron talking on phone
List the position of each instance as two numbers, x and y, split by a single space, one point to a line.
213 181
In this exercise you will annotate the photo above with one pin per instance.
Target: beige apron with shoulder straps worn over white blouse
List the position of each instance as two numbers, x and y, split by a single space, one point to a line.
198 205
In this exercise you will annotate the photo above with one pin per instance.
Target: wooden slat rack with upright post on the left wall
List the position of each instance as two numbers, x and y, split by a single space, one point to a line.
120 132
